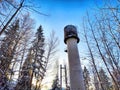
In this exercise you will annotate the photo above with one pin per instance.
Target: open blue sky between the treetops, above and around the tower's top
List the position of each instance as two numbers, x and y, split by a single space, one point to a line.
61 13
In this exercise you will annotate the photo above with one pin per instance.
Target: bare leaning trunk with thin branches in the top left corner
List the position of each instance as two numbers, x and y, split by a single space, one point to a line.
18 8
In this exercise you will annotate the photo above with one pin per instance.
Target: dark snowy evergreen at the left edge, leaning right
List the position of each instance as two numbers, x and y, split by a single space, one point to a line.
8 48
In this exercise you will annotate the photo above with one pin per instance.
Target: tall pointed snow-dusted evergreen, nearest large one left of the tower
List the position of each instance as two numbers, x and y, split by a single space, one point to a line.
39 60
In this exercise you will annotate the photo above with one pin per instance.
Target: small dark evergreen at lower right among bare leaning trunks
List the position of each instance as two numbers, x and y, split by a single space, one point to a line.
104 79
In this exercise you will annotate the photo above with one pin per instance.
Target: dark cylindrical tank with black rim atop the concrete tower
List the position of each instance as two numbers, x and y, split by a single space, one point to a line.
70 31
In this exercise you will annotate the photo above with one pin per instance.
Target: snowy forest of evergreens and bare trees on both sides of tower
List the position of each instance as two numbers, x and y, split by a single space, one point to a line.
26 55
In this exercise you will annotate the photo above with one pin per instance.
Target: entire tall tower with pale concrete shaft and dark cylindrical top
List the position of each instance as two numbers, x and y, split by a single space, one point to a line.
76 74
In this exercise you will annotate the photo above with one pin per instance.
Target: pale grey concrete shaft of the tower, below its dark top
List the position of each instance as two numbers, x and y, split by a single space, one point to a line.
76 75
